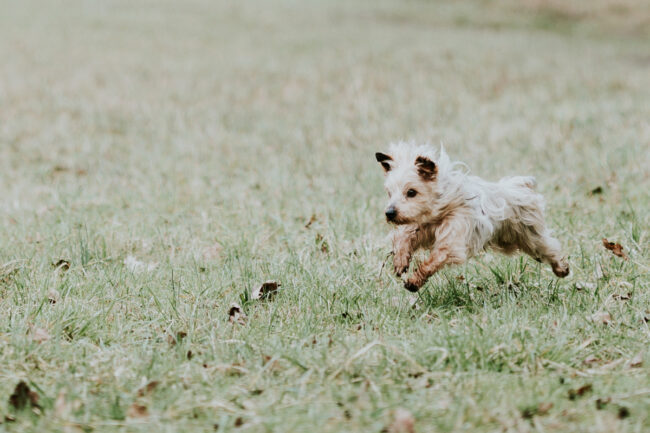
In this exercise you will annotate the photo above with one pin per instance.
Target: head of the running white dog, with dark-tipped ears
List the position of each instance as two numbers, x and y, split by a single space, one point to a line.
411 175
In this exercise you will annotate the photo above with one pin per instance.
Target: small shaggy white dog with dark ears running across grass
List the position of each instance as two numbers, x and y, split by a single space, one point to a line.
435 205
